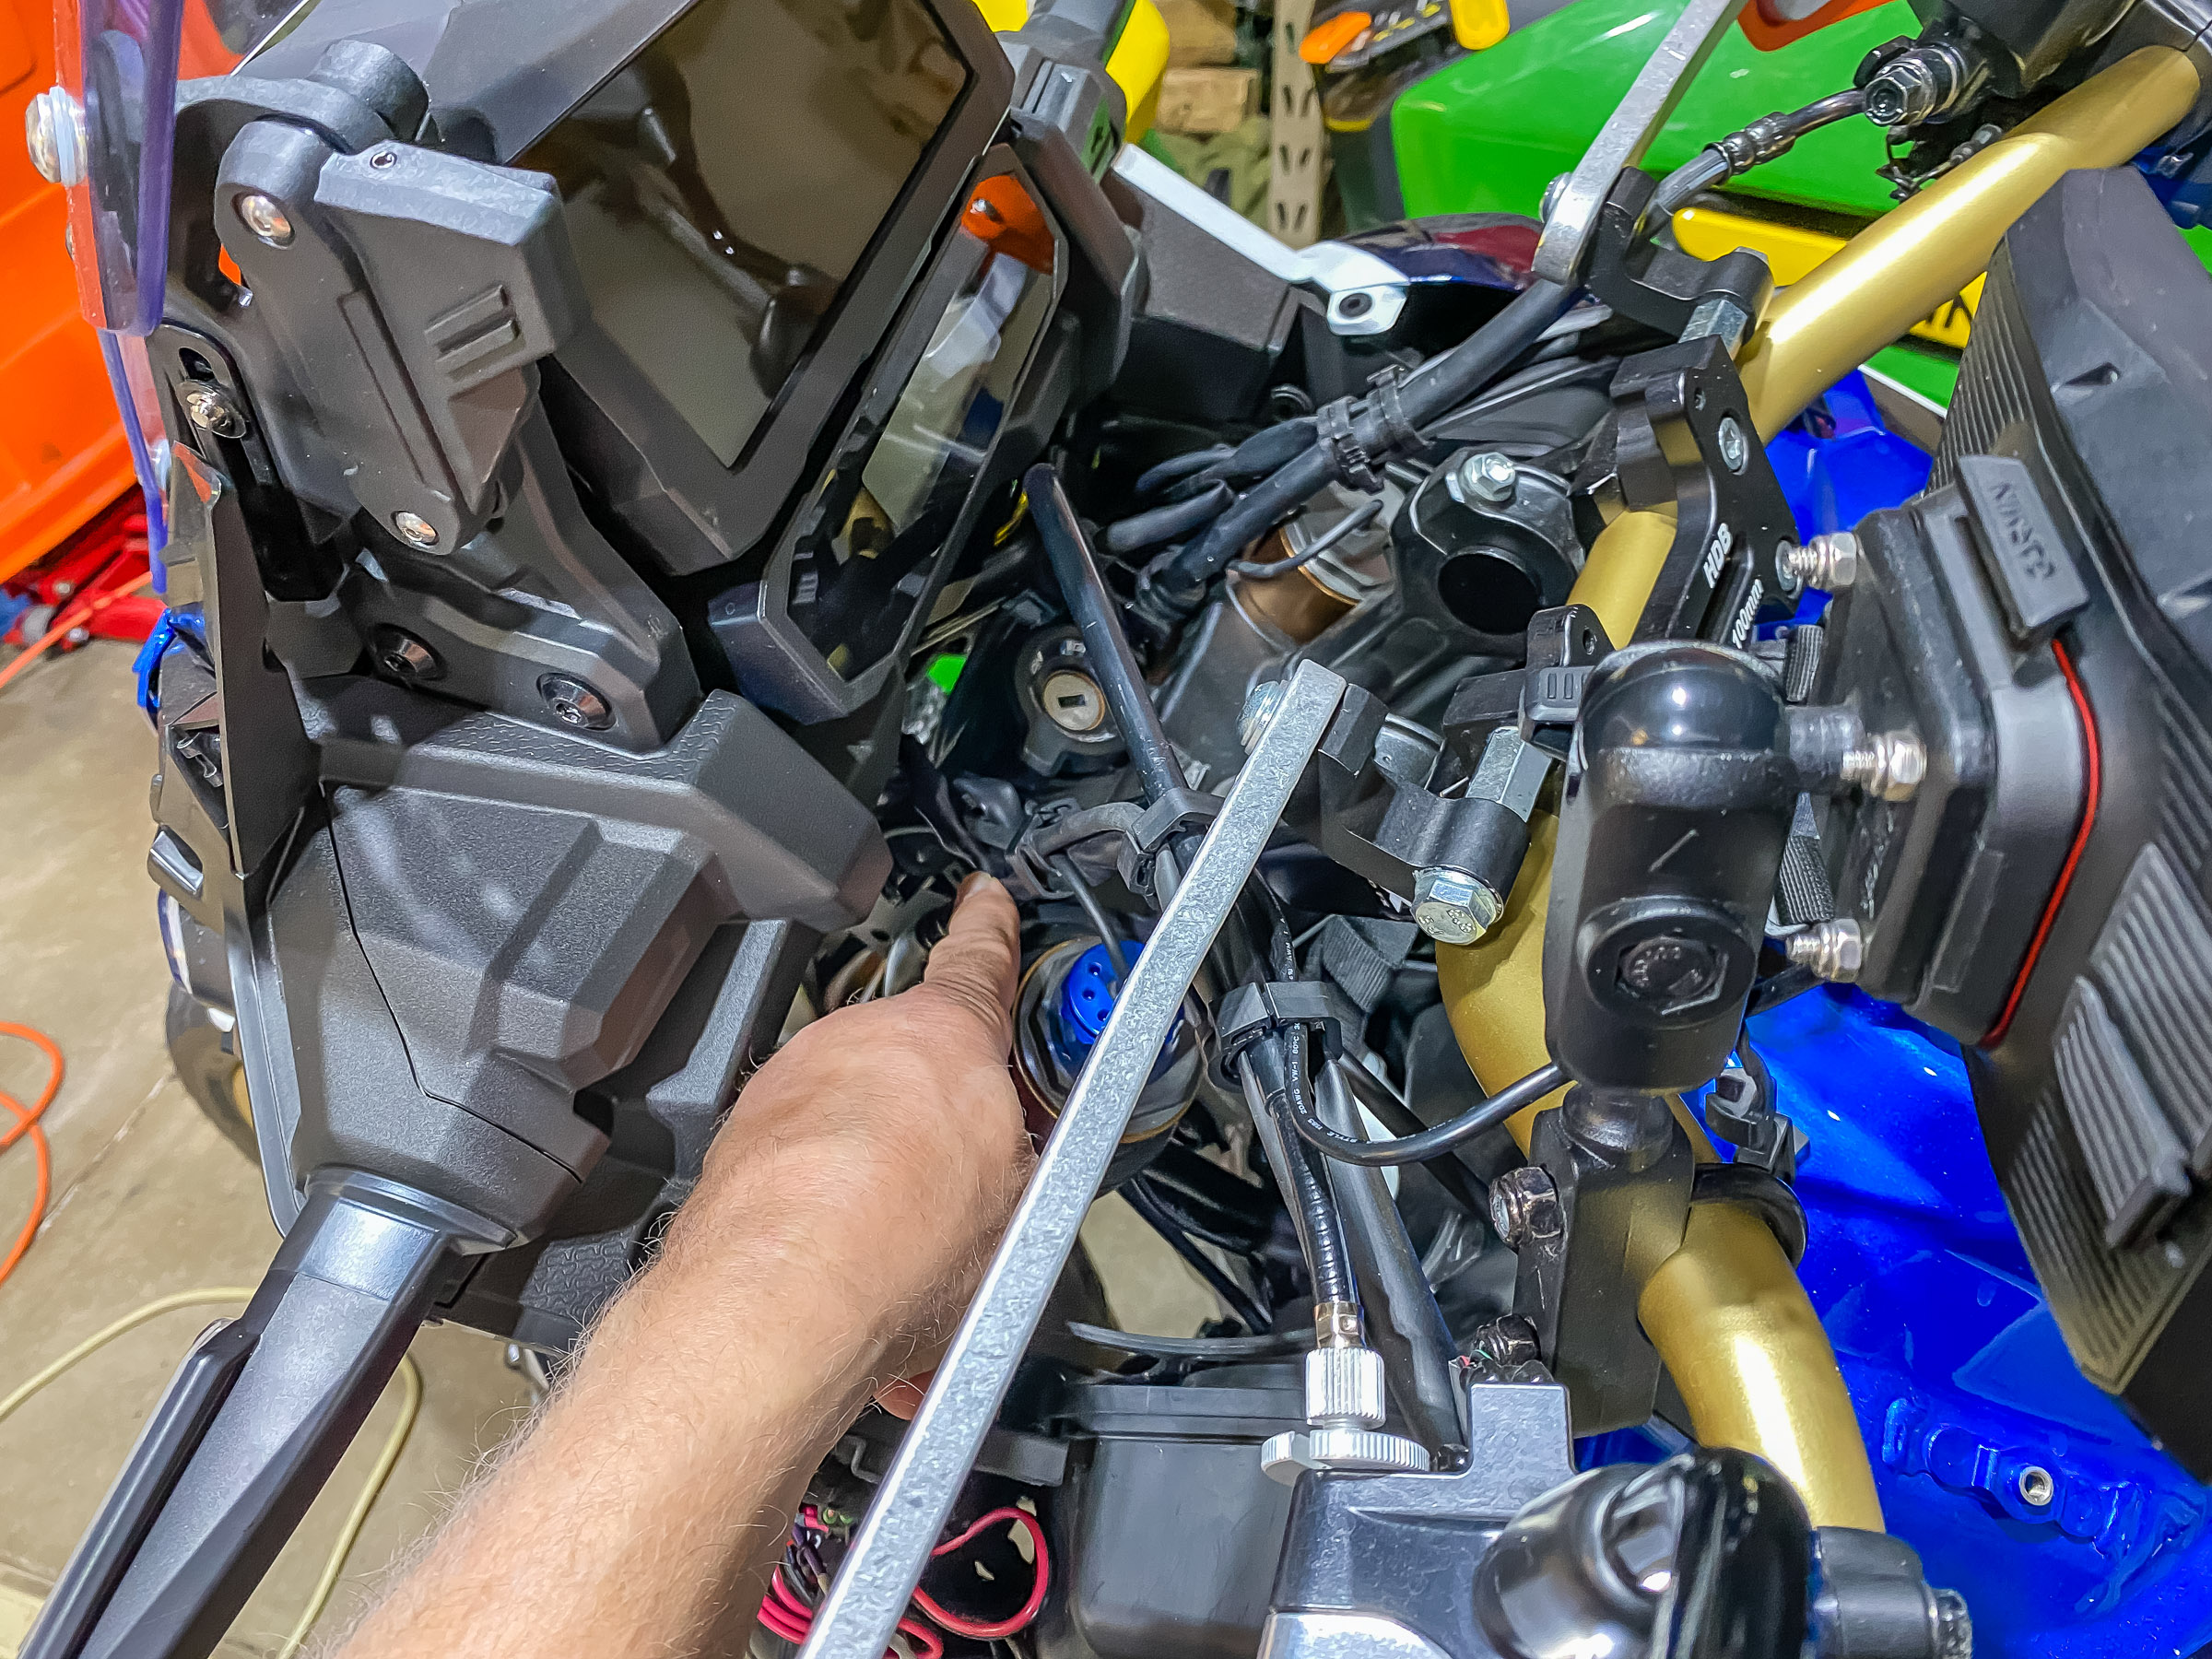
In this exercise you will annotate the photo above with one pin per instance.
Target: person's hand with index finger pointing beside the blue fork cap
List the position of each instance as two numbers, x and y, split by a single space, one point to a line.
884 1149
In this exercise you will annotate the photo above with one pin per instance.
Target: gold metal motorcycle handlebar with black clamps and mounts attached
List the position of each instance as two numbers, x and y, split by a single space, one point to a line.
1726 1313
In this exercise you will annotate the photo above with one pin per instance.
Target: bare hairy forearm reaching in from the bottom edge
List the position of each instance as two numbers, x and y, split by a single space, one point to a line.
643 1512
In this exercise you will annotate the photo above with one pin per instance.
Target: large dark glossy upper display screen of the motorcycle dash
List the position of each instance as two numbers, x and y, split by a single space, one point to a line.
731 178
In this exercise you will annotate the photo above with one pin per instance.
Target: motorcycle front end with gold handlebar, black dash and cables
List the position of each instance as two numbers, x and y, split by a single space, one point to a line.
618 589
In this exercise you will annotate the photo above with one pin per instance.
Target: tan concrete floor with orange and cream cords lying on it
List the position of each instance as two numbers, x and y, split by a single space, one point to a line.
152 1200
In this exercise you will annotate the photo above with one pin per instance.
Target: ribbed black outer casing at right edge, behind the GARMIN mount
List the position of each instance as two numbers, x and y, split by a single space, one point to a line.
2094 366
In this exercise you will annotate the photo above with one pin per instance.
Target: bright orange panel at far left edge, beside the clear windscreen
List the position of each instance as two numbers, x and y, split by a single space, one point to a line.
63 452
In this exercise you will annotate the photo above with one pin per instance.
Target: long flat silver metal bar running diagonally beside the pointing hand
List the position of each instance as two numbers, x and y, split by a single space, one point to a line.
924 1481
